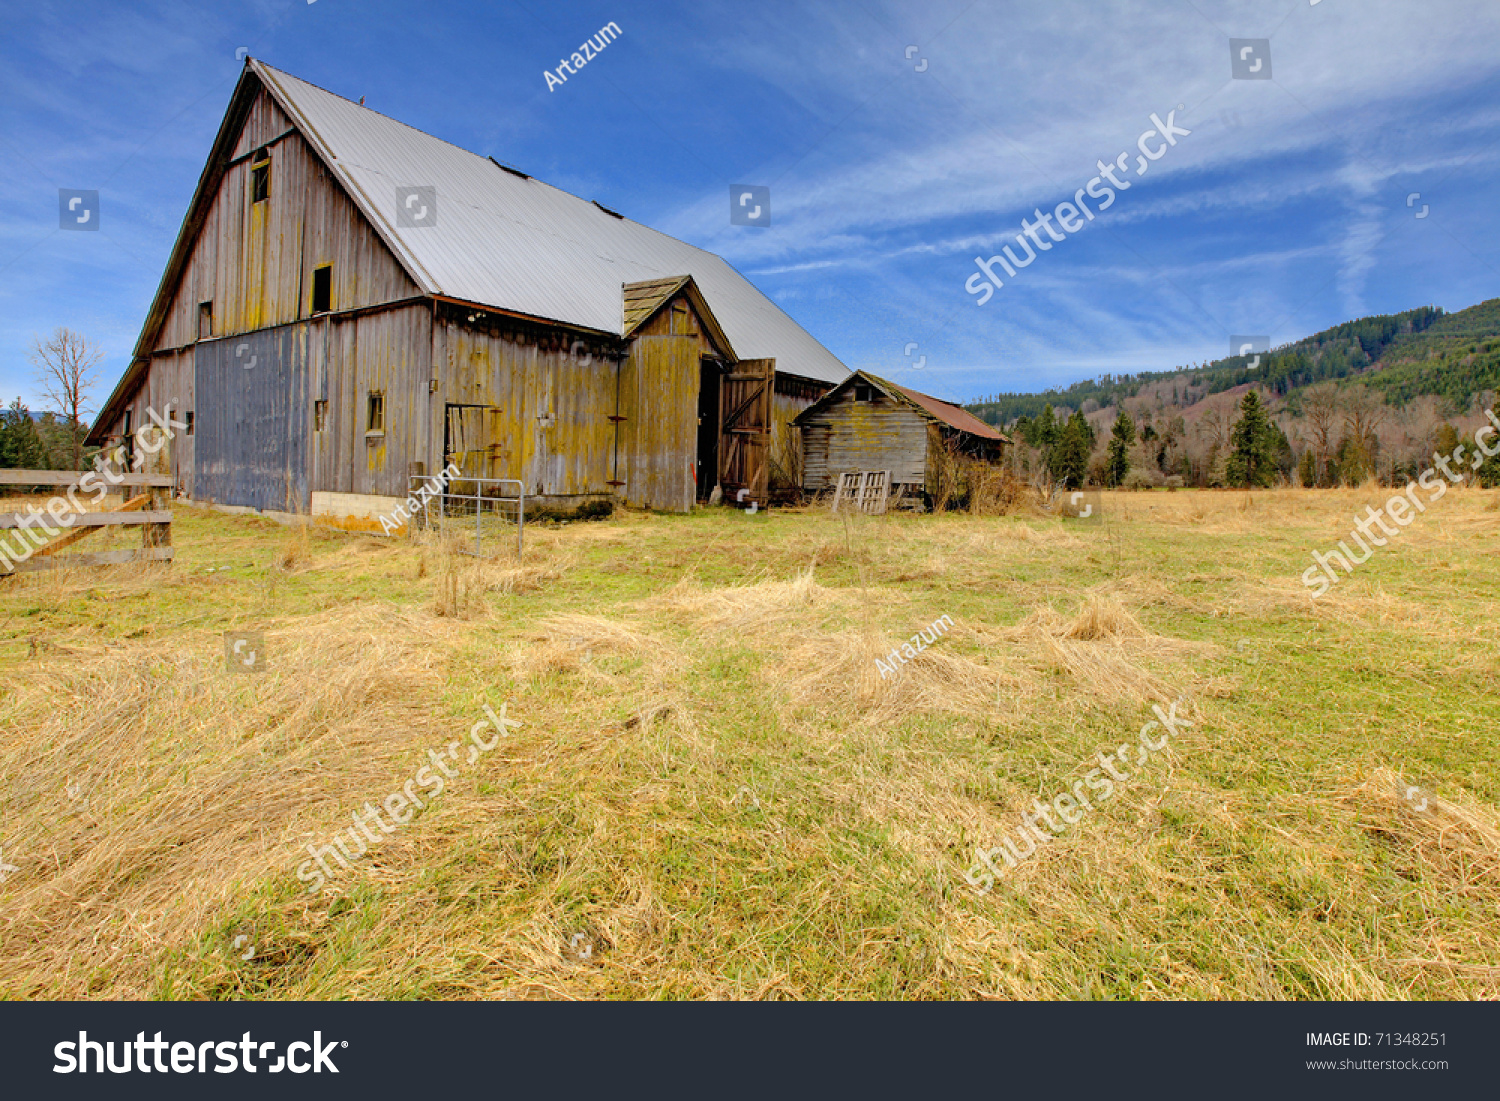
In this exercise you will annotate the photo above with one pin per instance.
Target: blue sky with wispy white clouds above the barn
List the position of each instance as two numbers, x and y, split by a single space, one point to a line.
1282 214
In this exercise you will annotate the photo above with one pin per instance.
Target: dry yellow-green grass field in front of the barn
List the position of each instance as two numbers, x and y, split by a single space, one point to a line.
715 794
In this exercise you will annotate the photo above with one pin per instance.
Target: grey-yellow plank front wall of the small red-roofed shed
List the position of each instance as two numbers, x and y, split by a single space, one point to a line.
850 436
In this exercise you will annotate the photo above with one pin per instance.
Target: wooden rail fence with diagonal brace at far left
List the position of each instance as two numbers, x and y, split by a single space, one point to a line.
149 512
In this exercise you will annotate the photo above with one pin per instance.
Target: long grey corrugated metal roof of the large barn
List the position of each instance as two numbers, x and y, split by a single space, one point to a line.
520 245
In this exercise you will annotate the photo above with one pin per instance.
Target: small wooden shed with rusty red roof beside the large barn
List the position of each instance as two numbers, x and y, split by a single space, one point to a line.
868 424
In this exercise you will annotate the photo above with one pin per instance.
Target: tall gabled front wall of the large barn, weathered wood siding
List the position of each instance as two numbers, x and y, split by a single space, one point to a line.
254 263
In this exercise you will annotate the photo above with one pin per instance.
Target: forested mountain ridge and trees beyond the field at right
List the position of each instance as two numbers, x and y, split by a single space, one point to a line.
1381 397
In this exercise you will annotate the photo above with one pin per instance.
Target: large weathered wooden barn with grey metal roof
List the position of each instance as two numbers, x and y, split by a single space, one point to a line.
352 301
